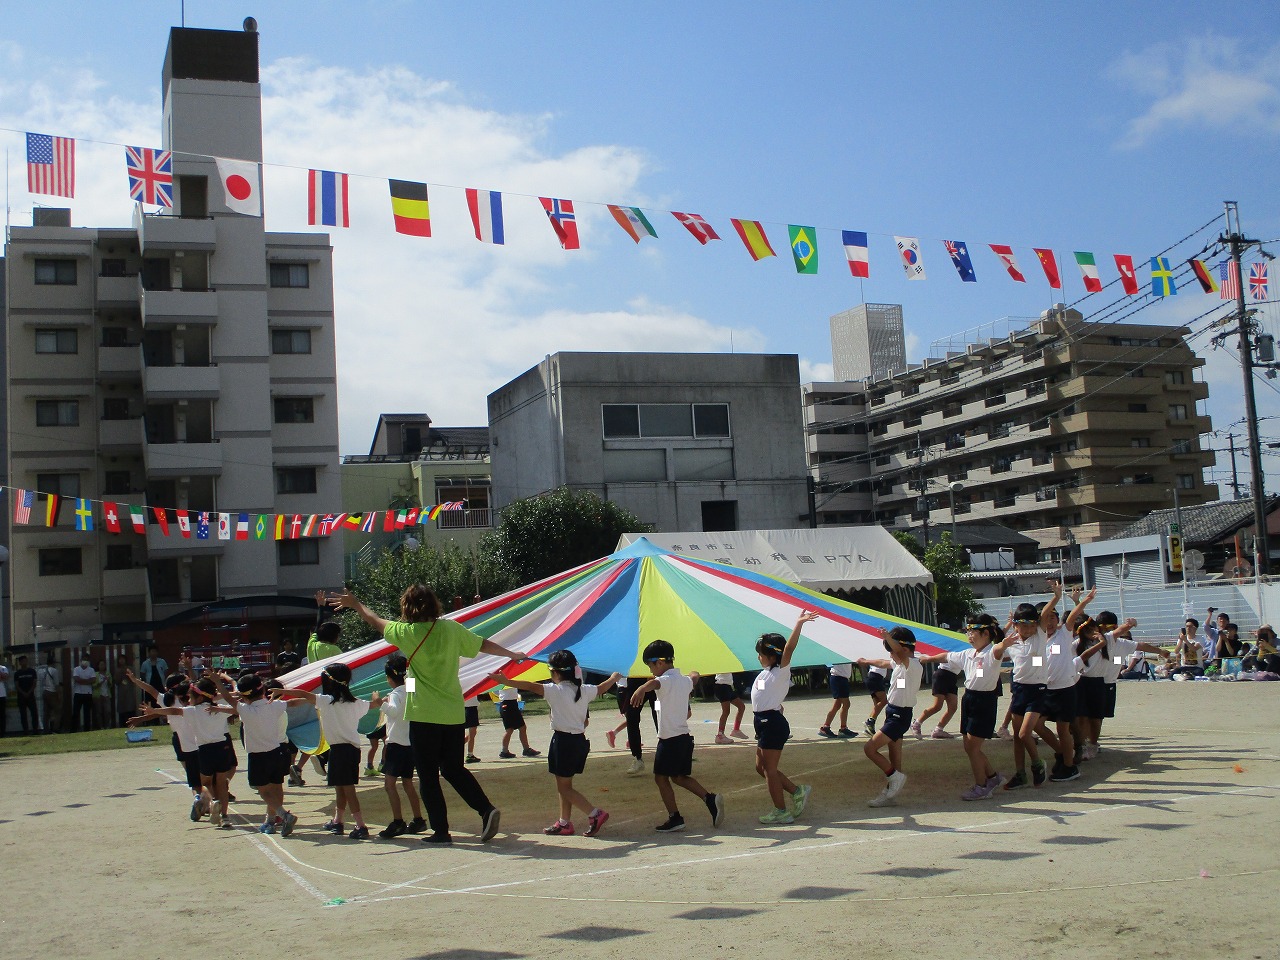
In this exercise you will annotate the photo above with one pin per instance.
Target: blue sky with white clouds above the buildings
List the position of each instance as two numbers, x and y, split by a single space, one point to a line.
1099 127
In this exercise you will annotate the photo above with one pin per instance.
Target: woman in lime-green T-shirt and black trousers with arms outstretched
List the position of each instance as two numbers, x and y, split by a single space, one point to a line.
435 703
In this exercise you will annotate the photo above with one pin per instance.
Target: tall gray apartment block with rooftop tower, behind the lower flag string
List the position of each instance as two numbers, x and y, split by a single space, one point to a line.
186 363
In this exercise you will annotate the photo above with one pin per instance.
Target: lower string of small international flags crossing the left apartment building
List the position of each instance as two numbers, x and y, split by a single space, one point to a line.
212 525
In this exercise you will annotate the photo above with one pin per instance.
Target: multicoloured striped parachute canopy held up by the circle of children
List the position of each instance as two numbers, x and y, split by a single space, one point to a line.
607 611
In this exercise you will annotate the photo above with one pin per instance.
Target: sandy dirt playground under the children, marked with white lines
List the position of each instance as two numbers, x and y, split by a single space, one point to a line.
1165 848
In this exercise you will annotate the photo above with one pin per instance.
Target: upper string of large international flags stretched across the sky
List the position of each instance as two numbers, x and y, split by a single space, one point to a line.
52 170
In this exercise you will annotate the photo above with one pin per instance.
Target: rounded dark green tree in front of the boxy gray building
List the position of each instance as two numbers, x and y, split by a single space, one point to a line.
543 536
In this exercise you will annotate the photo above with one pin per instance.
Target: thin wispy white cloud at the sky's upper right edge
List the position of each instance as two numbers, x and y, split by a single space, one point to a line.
1208 84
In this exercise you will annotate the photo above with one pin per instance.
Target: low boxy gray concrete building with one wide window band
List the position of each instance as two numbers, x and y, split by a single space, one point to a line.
684 441
